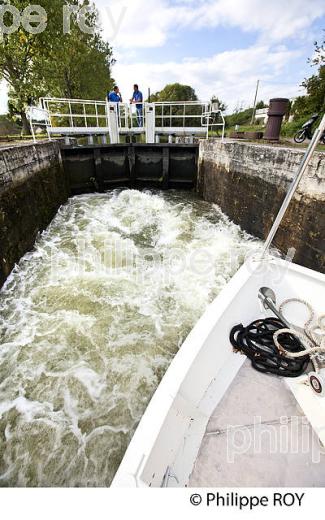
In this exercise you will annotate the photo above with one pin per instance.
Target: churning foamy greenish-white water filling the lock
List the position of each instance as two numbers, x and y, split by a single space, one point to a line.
90 321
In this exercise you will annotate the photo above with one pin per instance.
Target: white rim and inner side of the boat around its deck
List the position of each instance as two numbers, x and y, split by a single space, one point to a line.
170 433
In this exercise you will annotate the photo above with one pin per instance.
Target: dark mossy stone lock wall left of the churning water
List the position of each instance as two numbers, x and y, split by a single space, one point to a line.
32 188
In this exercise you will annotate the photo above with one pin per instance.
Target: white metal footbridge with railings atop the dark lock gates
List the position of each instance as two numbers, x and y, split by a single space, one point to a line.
180 121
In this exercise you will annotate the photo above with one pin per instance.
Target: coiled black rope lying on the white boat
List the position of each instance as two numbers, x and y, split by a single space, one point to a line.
256 341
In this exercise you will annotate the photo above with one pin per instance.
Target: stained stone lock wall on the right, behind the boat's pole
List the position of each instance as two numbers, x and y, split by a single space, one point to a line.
249 183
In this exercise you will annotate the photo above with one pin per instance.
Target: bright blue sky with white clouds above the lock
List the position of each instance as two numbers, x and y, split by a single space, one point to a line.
219 47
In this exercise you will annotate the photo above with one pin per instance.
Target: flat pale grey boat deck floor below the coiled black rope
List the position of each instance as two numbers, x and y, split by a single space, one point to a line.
279 449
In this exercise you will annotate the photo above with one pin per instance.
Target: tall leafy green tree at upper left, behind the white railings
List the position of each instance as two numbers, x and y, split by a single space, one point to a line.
76 64
